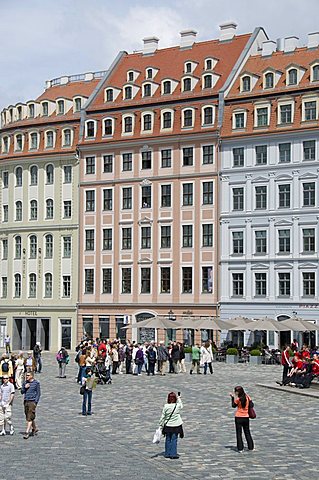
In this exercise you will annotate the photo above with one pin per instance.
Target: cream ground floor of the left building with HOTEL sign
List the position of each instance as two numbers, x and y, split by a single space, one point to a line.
52 328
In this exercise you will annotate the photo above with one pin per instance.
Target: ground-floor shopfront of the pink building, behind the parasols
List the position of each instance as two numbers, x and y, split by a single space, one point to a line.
108 322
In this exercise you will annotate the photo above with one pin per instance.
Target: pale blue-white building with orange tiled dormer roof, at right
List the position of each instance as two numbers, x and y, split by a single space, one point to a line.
269 188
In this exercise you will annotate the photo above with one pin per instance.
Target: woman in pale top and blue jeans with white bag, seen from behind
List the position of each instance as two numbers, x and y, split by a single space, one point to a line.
172 424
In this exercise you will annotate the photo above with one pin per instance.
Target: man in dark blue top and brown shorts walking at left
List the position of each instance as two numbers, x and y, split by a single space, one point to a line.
31 391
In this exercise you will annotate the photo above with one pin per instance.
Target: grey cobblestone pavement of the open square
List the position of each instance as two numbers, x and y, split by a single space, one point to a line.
116 441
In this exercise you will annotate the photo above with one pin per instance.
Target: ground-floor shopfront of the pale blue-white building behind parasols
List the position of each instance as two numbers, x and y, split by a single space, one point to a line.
278 311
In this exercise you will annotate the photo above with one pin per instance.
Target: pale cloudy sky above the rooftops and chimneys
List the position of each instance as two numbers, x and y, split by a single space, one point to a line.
43 39
